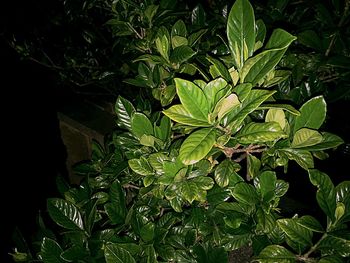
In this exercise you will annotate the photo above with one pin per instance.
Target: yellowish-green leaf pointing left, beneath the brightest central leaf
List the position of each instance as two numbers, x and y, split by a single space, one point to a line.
179 114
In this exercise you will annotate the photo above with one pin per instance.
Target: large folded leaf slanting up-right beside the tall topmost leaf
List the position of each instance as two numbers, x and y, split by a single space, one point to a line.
256 68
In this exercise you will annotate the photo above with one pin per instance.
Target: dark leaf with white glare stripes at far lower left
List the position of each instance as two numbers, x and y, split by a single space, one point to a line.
65 214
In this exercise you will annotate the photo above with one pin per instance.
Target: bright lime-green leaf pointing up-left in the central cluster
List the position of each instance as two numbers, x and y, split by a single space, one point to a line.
192 99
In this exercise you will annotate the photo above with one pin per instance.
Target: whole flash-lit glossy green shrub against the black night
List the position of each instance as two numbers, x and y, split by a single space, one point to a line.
199 178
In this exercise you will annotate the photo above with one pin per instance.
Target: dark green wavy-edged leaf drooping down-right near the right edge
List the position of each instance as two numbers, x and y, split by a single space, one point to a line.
325 195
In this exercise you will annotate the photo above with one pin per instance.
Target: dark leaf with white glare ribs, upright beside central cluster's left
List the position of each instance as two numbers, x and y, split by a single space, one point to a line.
124 111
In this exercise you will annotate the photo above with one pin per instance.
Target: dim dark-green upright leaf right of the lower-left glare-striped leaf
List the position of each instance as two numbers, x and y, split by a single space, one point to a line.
116 208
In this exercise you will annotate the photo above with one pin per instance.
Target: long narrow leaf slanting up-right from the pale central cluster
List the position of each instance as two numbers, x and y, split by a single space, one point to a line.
236 117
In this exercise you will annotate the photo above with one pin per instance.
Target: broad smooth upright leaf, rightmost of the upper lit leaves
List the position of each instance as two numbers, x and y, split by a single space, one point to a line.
312 114
